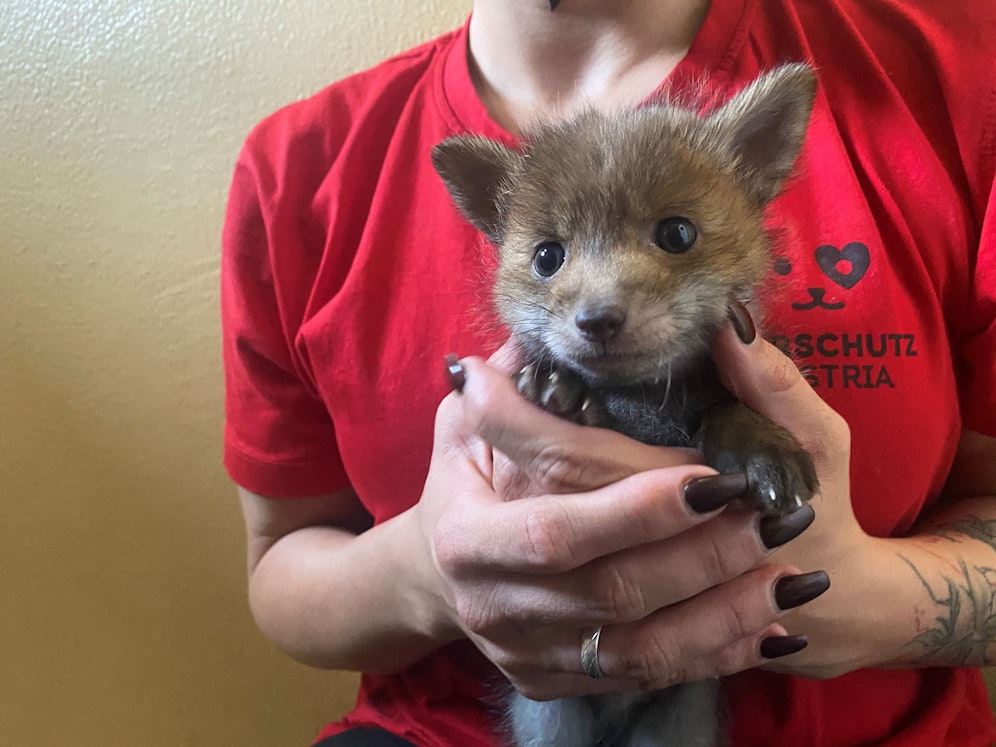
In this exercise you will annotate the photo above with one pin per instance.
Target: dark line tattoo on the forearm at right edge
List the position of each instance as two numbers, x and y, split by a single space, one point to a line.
964 624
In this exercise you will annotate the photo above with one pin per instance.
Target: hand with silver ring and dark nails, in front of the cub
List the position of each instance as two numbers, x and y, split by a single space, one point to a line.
614 533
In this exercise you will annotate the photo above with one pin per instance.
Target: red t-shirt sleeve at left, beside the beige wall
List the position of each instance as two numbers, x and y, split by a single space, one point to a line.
279 439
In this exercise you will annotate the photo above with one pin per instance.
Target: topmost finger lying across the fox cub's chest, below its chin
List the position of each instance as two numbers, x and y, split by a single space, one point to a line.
556 454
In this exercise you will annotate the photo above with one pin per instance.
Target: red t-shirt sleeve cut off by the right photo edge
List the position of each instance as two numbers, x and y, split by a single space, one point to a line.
978 345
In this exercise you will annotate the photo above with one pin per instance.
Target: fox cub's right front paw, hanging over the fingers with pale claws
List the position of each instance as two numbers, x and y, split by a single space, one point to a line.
781 475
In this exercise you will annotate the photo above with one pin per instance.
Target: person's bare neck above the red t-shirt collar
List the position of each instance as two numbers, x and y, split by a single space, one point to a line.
530 63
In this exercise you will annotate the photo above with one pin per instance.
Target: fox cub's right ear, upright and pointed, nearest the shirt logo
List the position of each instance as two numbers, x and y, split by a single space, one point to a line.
763 127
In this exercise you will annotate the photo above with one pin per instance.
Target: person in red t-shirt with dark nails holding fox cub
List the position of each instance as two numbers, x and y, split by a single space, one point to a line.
431 527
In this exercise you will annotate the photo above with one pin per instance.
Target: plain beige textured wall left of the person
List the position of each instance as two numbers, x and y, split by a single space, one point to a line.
122 612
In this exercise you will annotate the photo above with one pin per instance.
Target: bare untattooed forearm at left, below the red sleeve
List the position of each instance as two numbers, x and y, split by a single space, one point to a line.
337 600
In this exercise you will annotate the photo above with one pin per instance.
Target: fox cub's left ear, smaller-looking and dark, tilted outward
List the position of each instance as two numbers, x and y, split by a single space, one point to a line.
477 173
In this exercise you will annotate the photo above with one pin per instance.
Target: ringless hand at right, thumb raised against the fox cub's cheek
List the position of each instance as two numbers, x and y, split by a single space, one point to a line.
767 381
